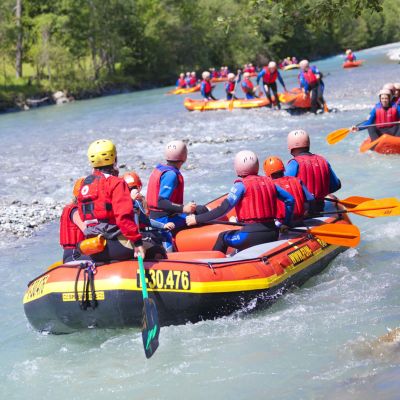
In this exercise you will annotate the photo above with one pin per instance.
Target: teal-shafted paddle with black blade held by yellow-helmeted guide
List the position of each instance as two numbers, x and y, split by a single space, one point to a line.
150 327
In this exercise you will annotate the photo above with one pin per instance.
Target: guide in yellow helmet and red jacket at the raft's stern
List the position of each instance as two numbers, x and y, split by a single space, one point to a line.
105 205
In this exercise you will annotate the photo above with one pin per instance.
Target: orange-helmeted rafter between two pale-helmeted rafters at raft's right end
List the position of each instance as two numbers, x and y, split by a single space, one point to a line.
274 169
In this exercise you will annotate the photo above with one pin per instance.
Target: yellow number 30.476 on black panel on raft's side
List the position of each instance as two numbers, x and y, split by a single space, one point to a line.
165 279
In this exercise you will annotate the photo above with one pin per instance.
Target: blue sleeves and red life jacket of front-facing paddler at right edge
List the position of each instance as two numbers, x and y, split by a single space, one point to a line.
380 114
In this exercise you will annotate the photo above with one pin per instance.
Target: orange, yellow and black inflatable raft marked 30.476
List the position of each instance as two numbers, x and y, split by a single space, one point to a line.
193 284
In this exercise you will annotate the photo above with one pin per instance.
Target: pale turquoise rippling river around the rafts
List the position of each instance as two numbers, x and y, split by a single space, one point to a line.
316 342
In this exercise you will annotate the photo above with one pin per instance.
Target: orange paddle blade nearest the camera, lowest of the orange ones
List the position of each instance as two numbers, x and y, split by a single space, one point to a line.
338 234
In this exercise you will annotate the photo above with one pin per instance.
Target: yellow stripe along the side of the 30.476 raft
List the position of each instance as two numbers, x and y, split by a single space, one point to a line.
117 283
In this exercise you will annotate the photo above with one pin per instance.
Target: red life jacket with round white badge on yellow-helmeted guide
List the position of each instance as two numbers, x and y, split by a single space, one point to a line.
94 201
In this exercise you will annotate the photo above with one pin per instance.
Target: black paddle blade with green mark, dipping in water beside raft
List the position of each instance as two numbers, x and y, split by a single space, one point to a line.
150 327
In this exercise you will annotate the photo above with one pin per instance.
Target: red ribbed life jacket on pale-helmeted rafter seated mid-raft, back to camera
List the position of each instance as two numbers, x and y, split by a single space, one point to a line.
259 203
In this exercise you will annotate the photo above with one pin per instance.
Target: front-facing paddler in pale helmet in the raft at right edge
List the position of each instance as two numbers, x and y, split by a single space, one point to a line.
384 112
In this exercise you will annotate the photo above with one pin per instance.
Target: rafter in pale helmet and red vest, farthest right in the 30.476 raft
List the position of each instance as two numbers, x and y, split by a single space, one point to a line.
312 169
